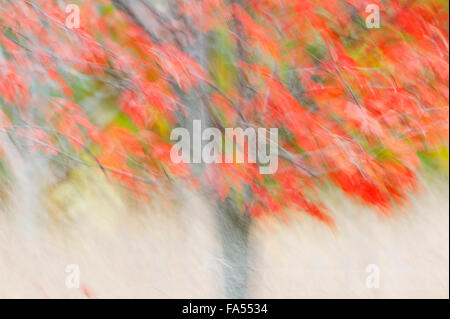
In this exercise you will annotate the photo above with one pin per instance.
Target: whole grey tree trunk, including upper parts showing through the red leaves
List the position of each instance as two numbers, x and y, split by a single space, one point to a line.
233 225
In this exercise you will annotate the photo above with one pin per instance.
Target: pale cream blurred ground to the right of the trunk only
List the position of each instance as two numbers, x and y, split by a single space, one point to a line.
411 251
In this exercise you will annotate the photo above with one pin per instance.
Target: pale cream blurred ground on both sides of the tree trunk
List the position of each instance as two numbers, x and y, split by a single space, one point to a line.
174 253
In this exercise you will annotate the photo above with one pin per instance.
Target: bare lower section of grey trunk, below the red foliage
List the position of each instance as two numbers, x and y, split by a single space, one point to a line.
233 227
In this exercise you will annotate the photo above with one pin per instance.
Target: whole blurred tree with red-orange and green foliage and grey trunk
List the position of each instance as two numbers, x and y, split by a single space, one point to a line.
356 107
